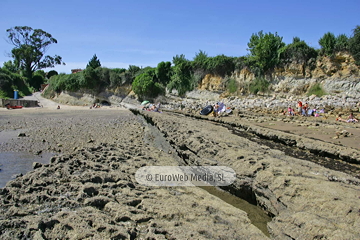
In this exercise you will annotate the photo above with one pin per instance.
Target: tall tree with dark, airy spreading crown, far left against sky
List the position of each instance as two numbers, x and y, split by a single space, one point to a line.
30 48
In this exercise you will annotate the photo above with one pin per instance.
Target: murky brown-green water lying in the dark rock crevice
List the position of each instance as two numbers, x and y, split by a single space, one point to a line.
256 215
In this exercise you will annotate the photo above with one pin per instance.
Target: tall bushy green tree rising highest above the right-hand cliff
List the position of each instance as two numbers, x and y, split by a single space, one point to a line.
264 51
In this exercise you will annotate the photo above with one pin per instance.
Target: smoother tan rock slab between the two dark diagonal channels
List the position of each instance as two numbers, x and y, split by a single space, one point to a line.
308 201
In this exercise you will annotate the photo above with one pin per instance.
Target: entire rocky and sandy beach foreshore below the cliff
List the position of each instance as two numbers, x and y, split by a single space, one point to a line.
87 190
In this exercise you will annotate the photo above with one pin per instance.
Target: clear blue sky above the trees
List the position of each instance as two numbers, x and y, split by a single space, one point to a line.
146 32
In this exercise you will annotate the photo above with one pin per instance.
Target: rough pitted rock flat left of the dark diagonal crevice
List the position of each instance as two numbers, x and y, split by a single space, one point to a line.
90 192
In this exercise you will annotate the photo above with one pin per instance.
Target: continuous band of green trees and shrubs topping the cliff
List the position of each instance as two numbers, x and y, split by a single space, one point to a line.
267 51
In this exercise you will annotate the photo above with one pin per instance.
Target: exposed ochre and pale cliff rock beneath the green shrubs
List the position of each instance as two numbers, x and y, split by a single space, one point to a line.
336 75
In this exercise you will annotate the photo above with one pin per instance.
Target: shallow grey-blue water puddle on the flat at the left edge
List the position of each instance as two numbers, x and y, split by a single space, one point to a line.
13 163
